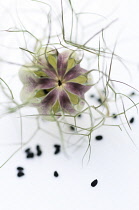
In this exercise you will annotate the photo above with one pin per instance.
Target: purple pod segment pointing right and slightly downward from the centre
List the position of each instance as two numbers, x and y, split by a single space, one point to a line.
76 88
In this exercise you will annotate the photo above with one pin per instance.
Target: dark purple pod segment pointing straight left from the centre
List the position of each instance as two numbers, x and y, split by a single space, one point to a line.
46 83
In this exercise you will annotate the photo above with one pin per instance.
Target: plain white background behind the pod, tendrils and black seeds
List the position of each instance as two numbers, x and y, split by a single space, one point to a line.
114 161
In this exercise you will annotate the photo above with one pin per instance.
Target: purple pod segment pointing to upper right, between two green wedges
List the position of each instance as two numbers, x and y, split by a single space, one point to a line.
74 72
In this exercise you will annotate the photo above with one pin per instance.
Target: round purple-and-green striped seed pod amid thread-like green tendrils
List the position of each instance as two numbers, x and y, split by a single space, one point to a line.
55 83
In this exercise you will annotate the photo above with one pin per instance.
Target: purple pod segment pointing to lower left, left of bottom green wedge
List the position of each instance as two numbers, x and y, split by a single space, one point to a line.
48 102
